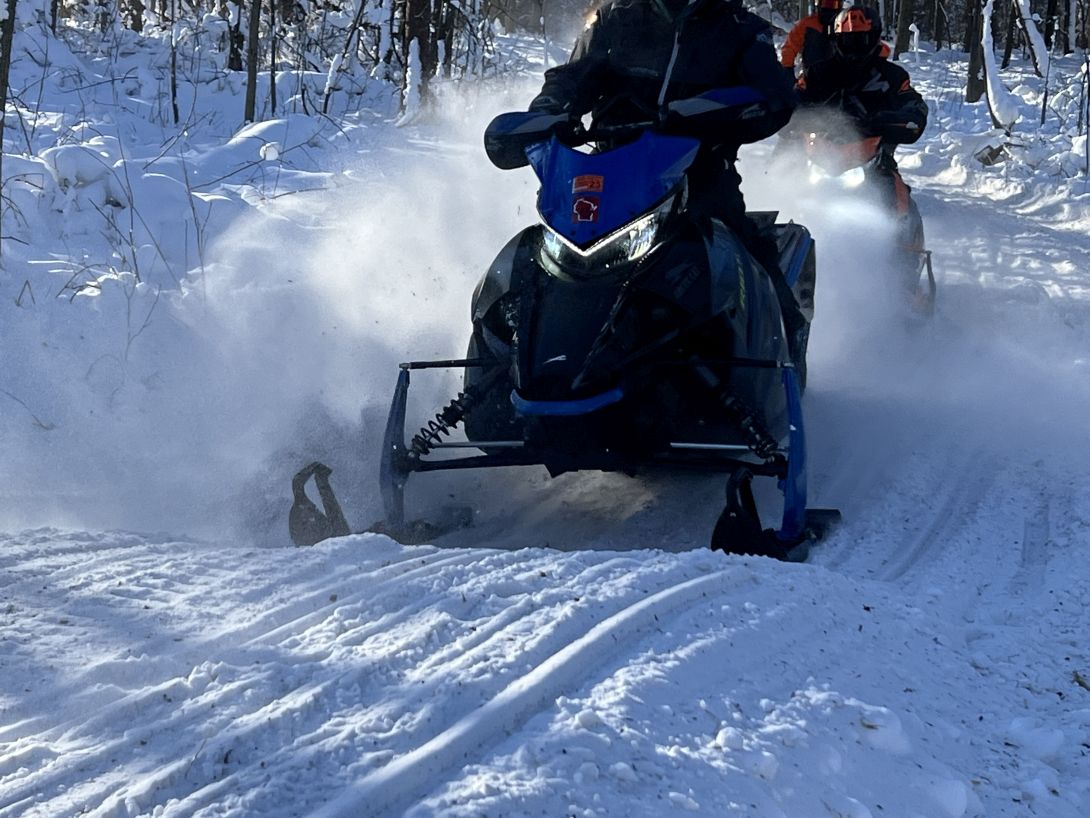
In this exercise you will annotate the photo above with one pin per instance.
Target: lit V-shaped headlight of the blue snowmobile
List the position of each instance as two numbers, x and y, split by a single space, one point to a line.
624 246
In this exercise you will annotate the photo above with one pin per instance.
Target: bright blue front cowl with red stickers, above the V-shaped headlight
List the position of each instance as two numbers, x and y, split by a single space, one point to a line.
586 197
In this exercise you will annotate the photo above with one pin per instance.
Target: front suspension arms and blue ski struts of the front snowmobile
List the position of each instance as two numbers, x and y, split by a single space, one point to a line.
740 528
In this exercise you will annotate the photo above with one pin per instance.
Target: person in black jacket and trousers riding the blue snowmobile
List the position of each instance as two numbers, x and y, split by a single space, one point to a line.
639 56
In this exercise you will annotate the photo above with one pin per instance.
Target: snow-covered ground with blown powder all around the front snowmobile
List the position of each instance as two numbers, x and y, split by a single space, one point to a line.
240 309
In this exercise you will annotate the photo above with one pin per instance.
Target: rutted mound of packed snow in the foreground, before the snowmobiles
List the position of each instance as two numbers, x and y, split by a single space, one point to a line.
515 683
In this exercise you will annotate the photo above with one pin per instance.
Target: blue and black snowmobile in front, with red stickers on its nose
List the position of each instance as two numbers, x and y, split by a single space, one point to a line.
624 334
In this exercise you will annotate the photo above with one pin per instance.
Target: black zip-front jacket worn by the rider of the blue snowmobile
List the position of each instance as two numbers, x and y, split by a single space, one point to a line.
619 67
